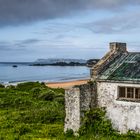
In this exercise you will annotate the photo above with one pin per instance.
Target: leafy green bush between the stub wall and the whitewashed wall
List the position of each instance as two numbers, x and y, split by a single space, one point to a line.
96 122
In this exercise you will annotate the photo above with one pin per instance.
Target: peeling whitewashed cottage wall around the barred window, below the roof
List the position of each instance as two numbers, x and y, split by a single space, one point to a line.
125 115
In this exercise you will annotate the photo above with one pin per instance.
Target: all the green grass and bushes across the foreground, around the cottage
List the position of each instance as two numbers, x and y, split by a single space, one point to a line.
32 111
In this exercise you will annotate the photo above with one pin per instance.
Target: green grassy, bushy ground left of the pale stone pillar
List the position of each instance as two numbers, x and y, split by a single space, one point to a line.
31 111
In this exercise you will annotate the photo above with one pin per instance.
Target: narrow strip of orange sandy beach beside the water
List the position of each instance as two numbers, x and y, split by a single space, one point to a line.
66 85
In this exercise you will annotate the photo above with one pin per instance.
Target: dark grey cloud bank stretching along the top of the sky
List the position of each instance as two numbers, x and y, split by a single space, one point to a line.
24 11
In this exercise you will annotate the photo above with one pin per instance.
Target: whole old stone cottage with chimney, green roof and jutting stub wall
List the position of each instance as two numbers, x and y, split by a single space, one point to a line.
117 89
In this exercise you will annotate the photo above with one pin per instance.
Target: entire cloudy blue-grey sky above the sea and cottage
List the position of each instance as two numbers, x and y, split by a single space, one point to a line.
32 29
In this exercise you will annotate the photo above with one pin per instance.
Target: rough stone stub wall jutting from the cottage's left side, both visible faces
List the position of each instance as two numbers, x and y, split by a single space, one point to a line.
78 100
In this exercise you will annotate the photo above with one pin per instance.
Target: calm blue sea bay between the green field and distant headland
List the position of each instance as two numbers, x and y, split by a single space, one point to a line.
26 73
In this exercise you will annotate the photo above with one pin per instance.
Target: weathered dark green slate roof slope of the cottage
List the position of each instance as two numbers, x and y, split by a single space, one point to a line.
124 68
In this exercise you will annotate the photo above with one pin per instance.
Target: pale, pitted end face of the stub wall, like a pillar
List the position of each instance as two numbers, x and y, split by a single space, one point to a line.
72 109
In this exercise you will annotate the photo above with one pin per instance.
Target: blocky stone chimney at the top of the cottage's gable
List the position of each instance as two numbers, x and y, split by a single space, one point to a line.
118 47
